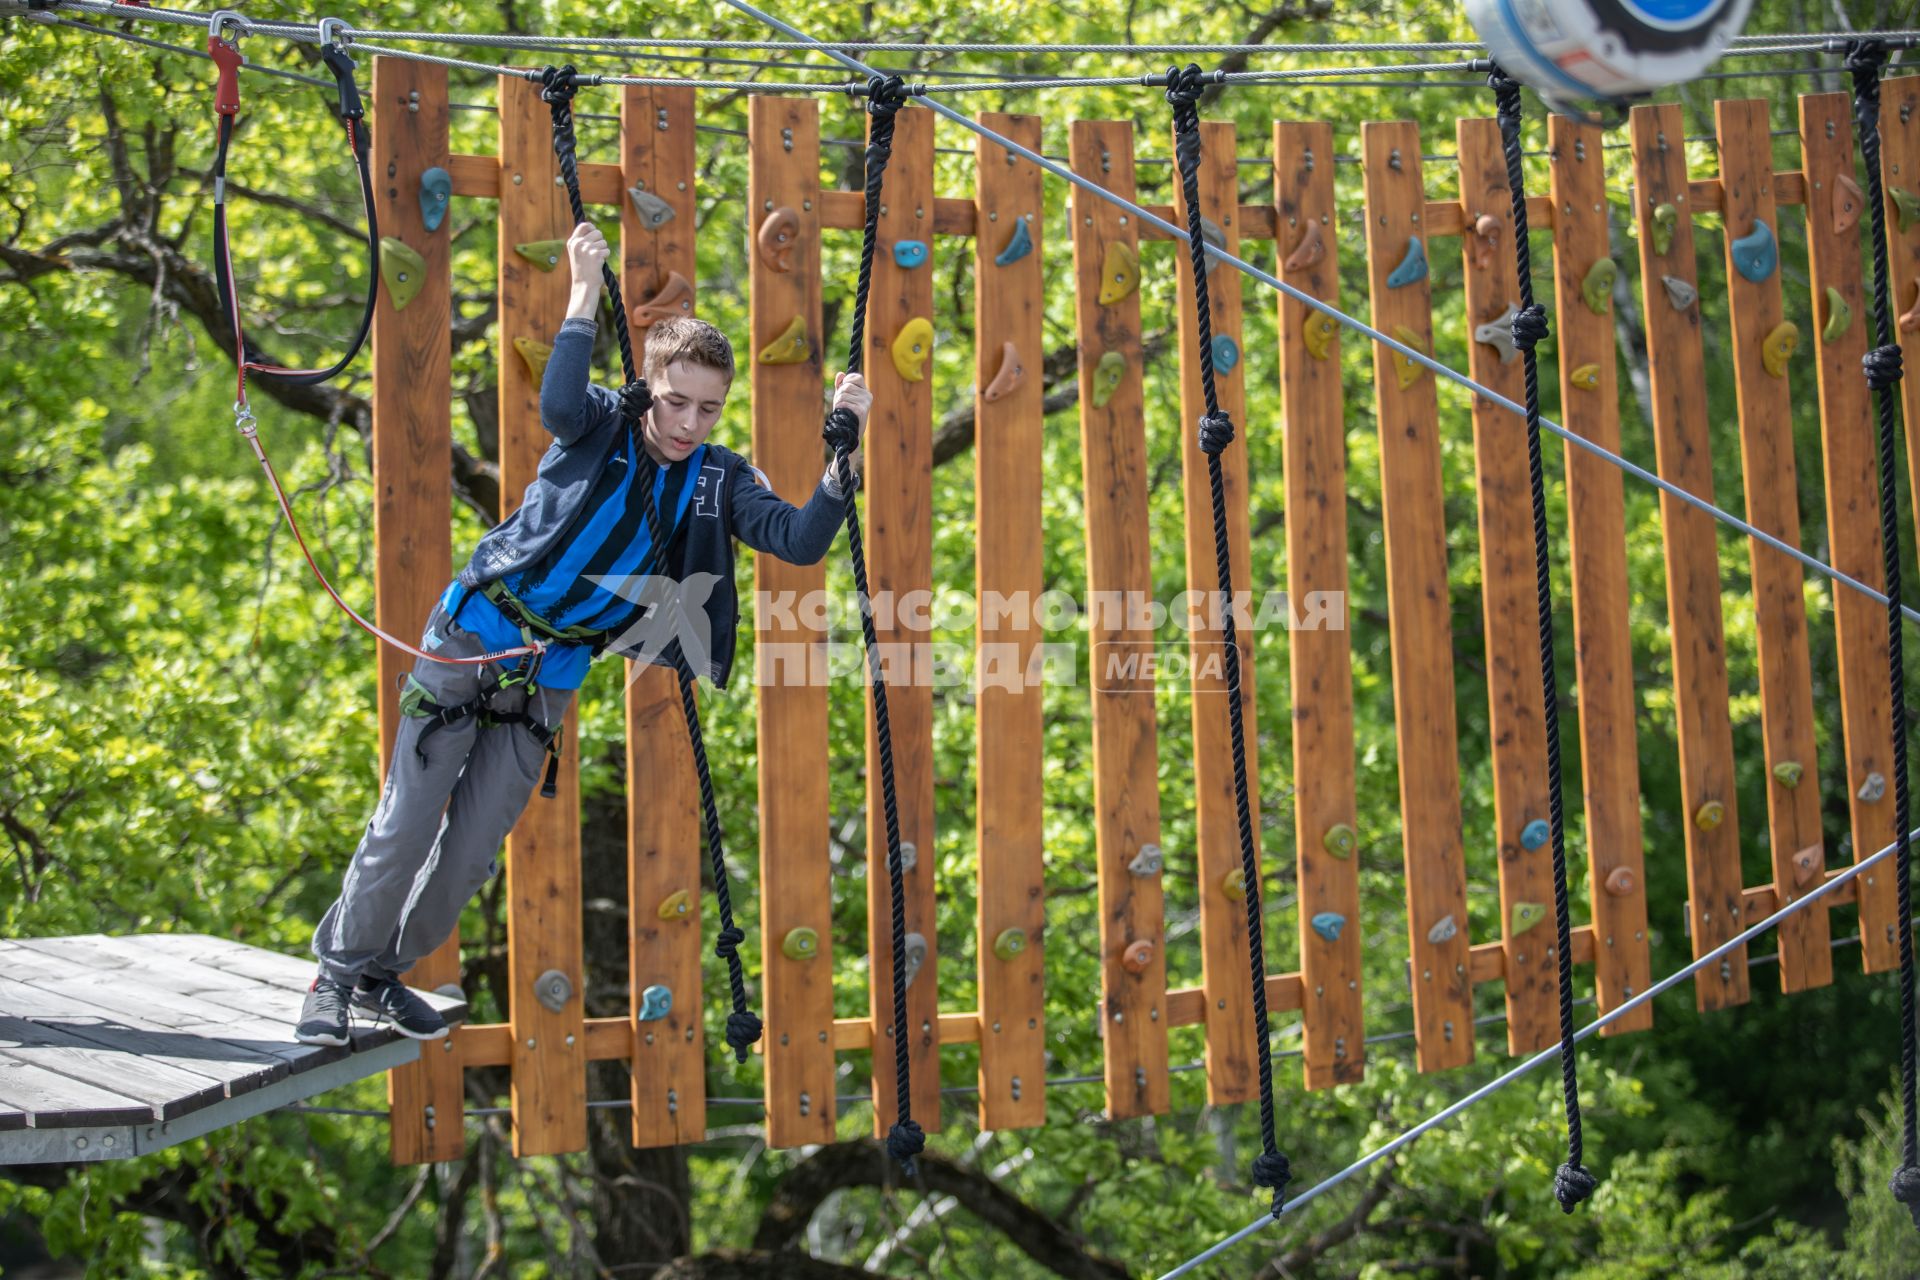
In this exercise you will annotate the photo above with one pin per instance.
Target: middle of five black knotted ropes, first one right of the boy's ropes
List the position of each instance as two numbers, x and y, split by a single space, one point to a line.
1216 433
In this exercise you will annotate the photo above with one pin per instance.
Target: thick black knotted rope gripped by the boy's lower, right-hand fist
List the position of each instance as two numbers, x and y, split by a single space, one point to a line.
884 101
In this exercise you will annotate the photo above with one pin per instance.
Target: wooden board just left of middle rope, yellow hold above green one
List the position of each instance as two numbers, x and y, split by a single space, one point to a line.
1126 790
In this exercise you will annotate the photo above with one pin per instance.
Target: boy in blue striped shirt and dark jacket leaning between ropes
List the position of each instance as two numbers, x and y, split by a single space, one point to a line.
564 569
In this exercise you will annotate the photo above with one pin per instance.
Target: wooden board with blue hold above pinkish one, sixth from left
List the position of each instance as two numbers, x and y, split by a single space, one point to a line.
1009 308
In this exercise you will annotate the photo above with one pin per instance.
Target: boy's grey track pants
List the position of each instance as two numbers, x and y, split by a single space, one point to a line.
433 841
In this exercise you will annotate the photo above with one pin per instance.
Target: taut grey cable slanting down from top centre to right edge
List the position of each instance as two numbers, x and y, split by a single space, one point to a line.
1360 327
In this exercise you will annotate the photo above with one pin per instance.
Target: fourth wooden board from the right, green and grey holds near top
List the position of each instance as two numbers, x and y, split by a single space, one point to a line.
1677 369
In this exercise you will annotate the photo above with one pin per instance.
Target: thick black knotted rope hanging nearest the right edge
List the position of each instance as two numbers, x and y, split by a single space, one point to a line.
1883 373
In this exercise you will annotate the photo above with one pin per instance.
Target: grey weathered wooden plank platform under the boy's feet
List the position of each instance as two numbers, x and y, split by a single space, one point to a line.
122 1047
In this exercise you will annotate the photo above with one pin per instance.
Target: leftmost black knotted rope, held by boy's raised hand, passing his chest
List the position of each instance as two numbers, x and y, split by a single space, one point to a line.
742 1026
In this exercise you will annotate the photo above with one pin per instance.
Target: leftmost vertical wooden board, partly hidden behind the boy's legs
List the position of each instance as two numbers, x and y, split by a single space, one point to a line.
414 508
